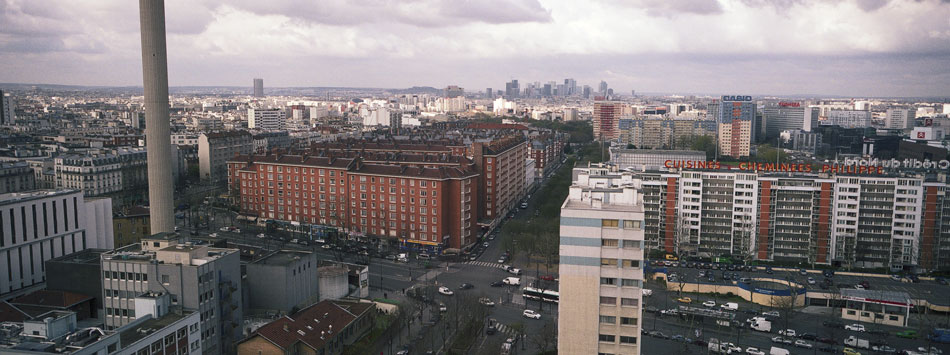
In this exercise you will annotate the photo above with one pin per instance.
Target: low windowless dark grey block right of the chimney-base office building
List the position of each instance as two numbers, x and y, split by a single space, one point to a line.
283 280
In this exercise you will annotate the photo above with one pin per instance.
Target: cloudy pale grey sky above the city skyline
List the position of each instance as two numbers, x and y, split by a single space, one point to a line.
840 47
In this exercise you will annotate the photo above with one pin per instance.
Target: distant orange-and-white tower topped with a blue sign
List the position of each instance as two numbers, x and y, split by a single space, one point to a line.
736 117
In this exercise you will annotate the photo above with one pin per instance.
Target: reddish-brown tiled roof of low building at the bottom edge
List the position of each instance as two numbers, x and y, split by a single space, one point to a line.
306 325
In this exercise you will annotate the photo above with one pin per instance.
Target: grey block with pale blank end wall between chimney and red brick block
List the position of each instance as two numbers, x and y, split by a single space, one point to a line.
215 148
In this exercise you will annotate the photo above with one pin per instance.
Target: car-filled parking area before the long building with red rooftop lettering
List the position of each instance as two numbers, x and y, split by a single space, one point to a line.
668 329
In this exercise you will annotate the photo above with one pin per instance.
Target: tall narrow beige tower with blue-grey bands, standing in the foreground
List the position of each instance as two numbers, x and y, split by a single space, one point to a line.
601 269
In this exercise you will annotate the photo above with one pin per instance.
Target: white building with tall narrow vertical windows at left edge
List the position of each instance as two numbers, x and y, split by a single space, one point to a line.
41 225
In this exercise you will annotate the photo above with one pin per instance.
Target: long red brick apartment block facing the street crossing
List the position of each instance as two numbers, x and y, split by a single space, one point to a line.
430 207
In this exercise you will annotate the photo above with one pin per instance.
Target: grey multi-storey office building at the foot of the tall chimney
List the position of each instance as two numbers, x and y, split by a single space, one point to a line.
196 277
